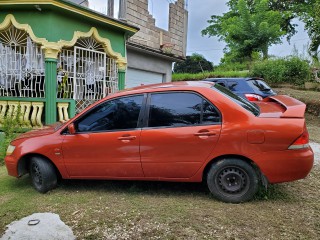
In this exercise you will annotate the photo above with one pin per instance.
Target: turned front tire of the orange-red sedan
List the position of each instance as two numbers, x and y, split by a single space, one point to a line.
43 174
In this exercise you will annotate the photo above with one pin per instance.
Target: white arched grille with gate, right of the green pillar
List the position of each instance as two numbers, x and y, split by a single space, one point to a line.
85 73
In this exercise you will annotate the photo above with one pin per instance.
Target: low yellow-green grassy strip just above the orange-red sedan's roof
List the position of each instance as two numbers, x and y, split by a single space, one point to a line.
200 76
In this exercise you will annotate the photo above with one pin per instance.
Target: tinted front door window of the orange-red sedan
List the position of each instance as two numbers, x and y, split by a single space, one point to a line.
118 114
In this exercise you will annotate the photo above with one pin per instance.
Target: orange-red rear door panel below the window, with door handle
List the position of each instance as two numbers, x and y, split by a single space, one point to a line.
176 152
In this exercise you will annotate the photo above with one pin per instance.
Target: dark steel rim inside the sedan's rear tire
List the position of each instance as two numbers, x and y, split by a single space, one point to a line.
233 181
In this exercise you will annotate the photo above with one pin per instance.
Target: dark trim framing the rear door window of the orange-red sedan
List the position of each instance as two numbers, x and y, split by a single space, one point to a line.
148 105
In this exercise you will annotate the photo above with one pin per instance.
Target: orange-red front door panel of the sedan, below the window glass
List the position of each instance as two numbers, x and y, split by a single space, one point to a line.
102 154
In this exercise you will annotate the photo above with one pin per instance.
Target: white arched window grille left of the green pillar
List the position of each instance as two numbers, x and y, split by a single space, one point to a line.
22 71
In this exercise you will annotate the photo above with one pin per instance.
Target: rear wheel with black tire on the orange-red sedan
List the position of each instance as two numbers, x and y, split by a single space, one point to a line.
232 180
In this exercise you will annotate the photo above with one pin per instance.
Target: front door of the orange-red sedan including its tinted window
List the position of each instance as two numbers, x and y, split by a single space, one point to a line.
106 142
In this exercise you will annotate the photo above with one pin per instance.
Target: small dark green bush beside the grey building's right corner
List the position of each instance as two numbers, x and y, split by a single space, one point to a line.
193 64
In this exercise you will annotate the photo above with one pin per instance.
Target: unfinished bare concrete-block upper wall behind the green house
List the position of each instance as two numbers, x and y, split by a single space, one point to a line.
152 36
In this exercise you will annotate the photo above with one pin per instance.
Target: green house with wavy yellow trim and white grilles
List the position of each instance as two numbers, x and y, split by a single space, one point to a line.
57 58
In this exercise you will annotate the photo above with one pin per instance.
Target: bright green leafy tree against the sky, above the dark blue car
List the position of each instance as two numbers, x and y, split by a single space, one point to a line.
250 26
